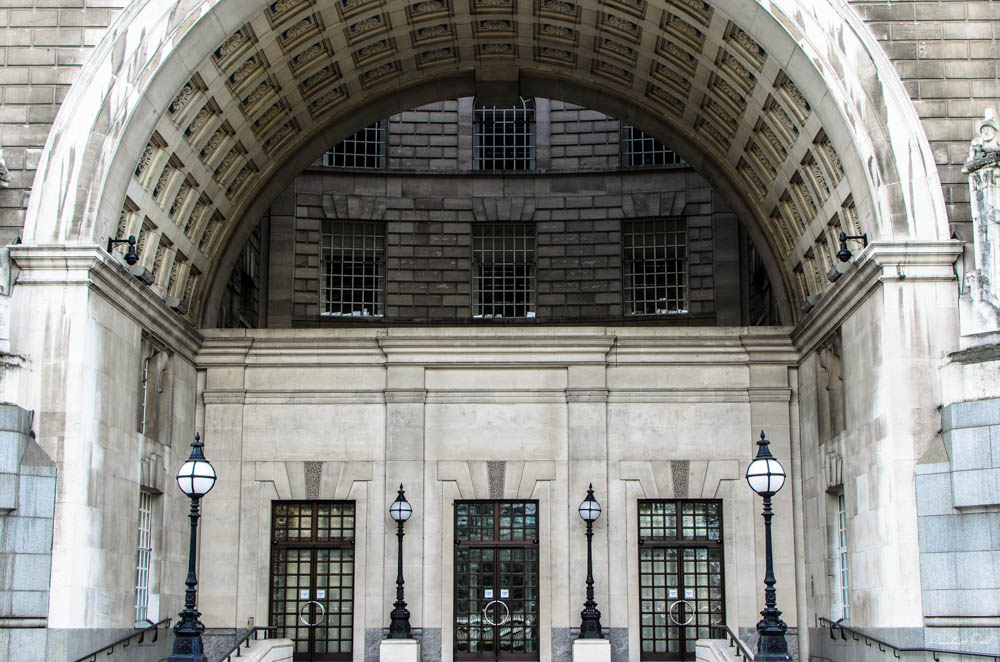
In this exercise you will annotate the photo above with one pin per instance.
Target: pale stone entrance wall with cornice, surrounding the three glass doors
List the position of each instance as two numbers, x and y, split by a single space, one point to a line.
563 407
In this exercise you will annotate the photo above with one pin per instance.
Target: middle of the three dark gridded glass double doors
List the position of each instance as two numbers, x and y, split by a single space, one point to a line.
496 580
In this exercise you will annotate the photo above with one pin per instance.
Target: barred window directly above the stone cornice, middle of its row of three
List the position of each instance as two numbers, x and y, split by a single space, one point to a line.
503 256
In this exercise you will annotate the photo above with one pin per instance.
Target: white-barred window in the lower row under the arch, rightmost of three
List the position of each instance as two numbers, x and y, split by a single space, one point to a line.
655 261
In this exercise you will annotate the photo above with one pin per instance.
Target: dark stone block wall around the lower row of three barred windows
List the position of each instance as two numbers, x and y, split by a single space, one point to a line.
428 223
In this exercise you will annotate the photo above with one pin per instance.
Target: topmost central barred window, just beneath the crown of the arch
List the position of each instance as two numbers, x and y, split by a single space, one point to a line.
505 137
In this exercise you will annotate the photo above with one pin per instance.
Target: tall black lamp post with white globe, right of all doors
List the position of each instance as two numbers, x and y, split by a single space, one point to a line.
765 476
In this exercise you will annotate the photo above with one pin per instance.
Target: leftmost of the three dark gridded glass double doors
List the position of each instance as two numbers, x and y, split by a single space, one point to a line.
312 577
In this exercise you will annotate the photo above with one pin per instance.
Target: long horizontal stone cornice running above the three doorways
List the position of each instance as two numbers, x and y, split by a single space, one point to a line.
502 347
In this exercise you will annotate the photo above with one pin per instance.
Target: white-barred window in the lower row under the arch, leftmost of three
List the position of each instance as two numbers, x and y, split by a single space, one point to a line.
353 276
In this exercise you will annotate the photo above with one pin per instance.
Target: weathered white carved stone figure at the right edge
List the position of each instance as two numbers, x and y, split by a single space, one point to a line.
980 303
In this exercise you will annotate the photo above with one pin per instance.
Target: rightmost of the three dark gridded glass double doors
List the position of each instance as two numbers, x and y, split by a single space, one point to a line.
681 590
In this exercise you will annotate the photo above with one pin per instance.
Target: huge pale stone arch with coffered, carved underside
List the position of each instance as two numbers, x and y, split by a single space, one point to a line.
191 116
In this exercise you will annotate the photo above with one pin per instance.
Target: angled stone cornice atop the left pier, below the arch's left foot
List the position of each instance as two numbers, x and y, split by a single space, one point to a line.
88 265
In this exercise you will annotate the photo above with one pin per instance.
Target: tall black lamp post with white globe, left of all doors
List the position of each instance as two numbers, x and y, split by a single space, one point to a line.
196 478
